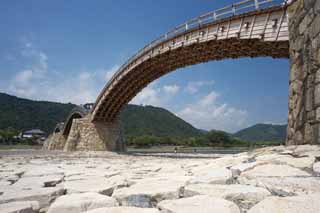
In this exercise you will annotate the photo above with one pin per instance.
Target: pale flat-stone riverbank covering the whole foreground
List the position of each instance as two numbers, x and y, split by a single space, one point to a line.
278 179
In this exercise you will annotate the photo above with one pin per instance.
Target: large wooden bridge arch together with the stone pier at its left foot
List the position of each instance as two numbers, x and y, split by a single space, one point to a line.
251 28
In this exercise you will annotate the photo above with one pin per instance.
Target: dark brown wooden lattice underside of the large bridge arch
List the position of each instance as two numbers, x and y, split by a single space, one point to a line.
138 78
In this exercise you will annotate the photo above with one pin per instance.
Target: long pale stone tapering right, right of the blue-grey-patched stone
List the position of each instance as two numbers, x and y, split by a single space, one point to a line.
245 196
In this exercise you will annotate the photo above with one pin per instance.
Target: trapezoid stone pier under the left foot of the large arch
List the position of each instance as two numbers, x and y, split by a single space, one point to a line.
94 136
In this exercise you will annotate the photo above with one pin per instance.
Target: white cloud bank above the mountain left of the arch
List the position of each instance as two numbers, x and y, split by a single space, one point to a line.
37 82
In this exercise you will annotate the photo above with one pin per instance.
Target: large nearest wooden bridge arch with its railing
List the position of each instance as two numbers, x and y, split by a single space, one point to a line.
262 32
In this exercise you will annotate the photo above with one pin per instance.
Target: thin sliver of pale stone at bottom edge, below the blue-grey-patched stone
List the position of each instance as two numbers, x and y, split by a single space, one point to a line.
123 209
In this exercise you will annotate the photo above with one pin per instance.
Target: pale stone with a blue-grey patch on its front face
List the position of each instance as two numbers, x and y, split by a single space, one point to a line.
148 193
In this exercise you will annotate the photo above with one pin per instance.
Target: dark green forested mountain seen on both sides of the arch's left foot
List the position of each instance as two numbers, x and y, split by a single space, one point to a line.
24 114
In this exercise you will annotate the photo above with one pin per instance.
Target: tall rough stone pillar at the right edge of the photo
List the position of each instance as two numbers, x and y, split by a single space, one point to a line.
304 89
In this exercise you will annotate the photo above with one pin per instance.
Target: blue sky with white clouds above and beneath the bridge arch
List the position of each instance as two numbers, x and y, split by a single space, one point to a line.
65 51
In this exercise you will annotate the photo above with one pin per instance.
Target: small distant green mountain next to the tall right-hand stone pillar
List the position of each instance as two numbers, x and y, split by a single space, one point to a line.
263 132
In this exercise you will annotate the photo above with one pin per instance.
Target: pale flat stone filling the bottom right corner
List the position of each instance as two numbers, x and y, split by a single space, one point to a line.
296 204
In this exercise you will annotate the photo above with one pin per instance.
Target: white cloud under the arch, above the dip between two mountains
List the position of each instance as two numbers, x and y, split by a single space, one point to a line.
208 114
